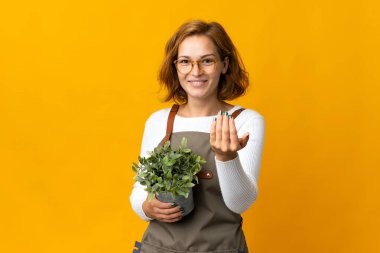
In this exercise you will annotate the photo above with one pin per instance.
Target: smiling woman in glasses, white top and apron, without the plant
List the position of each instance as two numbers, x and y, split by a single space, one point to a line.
202 70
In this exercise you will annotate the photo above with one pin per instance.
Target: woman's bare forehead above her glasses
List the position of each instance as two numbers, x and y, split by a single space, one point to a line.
196 46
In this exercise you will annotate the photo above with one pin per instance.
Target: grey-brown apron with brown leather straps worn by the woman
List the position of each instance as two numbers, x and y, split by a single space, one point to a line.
211 226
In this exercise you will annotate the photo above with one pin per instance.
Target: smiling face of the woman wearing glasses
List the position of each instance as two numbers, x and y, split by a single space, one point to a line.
200 82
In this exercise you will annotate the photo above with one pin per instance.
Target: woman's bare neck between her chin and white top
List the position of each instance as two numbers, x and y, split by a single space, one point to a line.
197 108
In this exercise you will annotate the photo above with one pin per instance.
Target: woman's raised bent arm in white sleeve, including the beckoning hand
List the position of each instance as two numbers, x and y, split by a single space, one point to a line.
238 166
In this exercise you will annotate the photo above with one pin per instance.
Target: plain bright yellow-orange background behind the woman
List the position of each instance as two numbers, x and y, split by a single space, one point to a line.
79 78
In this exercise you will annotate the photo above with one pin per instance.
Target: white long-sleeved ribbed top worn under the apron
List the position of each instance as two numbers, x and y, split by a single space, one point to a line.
237 177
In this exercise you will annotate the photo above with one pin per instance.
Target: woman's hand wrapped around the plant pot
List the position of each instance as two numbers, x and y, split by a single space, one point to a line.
162 211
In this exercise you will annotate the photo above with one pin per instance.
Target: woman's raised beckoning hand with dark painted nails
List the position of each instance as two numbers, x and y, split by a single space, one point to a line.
224 139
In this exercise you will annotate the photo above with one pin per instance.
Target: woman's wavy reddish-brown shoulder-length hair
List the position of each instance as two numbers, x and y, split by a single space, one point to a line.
231 85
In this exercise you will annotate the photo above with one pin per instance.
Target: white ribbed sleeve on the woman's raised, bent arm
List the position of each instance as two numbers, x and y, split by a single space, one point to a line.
238 177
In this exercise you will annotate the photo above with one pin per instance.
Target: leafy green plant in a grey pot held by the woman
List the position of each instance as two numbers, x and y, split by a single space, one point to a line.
169 174
